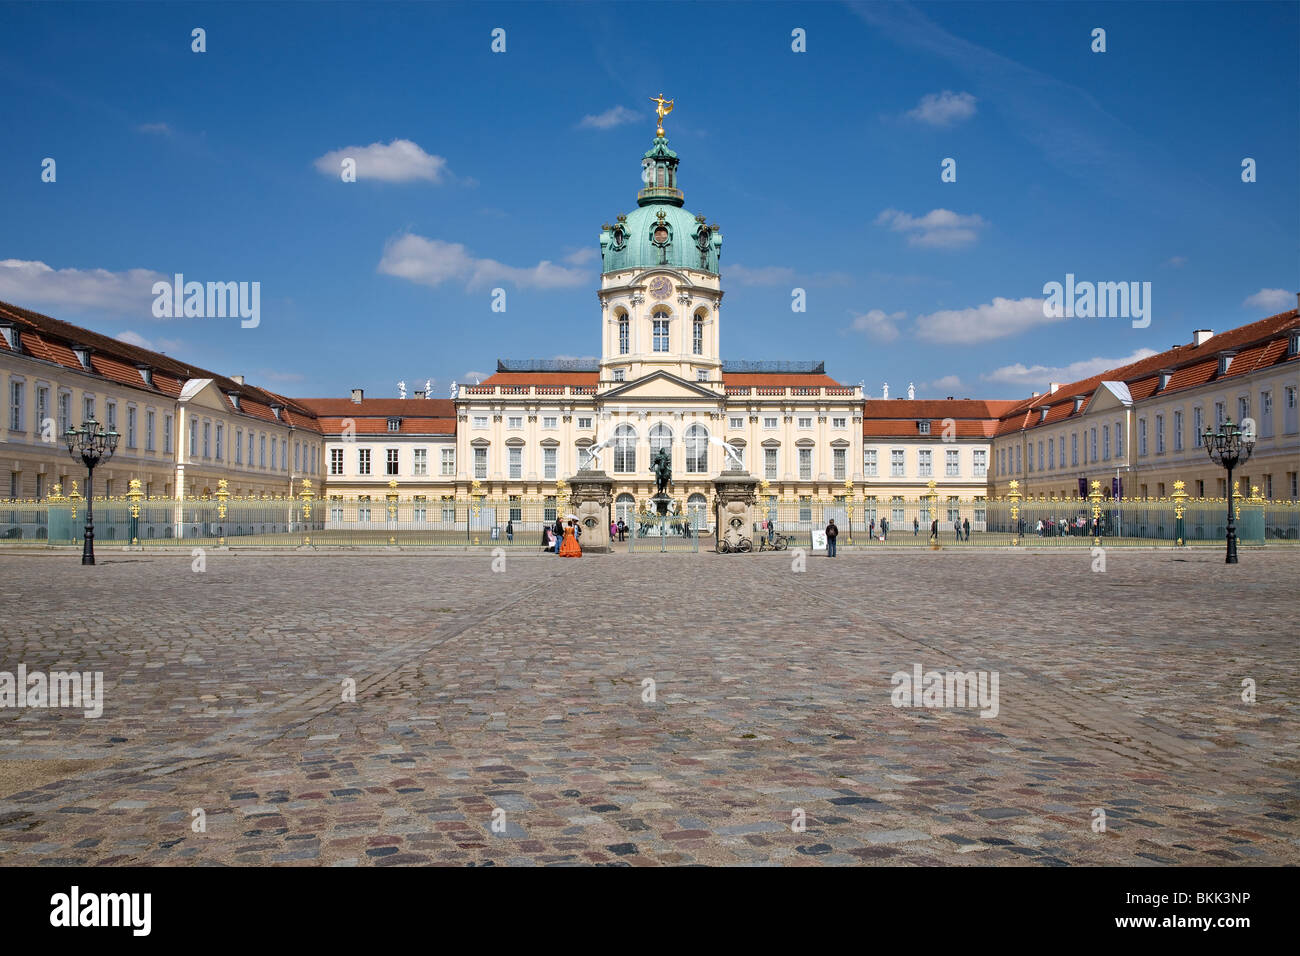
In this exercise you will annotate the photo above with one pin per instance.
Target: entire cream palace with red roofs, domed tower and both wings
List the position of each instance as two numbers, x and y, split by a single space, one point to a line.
661 382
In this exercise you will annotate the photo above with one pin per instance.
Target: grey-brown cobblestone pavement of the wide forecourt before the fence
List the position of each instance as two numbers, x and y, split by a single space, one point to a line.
522 693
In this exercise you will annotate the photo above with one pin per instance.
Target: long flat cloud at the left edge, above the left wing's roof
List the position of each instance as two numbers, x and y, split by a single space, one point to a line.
37 284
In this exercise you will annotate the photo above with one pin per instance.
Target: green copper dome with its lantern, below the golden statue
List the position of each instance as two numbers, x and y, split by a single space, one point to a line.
660 232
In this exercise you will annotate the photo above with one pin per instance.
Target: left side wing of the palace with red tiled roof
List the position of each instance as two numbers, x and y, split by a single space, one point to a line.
183 429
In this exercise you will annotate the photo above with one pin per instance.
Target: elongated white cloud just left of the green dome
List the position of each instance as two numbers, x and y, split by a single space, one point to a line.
434 262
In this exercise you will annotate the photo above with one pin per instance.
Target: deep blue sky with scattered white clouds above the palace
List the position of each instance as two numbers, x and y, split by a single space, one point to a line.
487 171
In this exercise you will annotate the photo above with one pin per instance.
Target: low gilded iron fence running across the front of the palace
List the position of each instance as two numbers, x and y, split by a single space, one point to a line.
522 522
